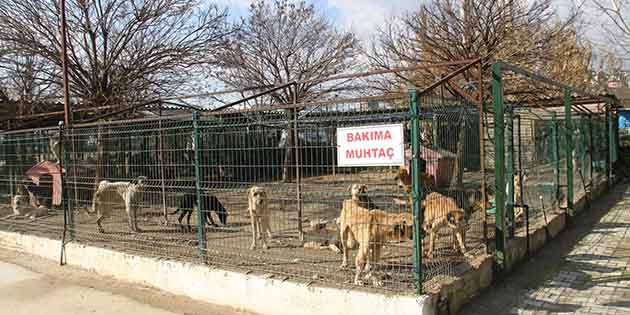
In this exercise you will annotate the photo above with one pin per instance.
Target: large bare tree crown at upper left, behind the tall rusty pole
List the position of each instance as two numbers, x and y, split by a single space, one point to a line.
118 50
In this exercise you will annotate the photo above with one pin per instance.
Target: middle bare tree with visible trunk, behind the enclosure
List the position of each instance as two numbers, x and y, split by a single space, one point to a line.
281 42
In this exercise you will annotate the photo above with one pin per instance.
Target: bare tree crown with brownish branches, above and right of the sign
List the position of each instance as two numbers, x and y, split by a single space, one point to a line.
529 34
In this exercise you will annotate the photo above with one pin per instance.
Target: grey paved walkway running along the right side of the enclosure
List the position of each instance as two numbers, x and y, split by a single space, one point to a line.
587 274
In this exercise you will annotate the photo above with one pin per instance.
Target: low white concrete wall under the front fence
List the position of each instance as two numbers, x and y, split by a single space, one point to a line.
248 292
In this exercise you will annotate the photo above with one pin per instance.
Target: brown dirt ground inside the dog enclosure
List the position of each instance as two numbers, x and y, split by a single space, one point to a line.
228 246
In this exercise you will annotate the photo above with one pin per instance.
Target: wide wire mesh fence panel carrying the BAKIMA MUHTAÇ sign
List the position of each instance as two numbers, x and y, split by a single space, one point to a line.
289 157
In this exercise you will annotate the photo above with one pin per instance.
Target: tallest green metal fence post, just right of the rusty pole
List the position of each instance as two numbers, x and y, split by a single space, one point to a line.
499 163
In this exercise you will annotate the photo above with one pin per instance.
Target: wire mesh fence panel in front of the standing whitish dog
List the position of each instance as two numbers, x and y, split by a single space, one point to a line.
124 178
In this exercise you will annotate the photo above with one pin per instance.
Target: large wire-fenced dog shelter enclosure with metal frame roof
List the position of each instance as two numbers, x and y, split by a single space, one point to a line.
525 148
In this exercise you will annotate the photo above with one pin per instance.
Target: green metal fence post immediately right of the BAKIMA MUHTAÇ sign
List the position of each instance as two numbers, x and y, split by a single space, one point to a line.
416 192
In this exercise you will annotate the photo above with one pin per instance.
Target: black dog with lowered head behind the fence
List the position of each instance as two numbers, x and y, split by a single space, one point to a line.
210 203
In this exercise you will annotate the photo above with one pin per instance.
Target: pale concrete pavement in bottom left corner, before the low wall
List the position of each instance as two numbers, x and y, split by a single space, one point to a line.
34 286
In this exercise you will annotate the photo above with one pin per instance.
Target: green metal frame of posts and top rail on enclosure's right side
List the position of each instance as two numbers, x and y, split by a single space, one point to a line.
504 170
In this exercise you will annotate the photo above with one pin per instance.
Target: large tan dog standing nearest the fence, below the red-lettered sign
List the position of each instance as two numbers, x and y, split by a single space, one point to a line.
370 229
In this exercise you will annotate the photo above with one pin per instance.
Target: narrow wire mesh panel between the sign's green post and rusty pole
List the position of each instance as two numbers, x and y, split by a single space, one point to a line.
450 151
